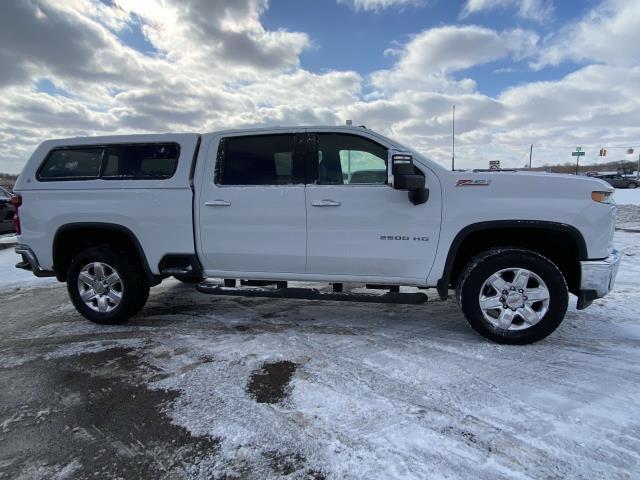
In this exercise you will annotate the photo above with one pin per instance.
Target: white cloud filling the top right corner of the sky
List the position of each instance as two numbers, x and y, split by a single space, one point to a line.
607 34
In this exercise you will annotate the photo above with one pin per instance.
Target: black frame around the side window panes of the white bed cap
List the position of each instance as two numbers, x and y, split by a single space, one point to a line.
101 175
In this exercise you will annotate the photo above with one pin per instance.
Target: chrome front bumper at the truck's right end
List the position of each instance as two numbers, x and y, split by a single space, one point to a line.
597 278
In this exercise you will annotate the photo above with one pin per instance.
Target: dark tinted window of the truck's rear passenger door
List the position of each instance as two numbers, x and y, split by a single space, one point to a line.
259 160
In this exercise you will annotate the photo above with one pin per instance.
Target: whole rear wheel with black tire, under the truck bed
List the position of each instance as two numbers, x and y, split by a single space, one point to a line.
106 285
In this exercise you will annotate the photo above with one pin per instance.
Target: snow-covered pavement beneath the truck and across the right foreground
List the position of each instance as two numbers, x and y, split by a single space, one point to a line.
385 391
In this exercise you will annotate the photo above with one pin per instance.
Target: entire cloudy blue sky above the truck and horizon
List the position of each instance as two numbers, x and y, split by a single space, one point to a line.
552 74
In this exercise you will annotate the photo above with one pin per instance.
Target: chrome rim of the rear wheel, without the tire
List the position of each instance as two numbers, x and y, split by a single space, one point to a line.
100 287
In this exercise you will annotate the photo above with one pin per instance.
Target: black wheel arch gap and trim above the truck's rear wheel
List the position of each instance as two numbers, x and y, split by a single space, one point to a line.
71 238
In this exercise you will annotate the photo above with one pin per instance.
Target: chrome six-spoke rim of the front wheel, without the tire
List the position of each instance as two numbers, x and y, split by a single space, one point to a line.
514 299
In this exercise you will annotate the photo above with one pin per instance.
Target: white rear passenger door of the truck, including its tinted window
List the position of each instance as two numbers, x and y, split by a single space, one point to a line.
251 204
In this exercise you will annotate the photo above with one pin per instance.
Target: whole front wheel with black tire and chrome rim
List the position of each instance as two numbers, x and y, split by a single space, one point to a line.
513 296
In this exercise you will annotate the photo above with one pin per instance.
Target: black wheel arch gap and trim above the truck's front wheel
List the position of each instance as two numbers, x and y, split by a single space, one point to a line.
560 242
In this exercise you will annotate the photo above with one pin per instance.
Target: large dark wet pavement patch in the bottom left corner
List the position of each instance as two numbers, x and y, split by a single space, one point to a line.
91 413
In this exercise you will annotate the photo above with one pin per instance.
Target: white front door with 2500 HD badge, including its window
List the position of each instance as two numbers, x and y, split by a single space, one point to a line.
360 226
